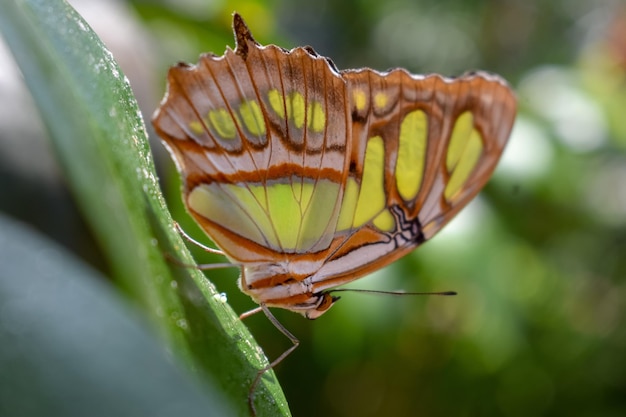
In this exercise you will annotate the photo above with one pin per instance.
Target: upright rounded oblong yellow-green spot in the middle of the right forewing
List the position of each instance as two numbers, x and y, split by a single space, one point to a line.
411 154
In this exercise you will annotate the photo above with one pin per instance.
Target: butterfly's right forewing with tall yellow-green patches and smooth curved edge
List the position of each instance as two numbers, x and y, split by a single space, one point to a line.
423 147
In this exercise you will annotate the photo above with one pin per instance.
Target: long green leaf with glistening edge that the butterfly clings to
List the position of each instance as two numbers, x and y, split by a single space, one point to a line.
98 134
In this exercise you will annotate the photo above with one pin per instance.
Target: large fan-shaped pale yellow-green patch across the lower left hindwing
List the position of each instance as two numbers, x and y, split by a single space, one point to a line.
290 217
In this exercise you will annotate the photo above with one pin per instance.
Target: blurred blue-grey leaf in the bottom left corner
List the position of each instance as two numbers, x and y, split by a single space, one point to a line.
72 347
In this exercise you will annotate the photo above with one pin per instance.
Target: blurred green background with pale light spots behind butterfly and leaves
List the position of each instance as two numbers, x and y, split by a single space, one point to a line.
538 259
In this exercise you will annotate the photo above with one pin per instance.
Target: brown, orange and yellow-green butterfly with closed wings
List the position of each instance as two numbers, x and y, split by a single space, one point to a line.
309 177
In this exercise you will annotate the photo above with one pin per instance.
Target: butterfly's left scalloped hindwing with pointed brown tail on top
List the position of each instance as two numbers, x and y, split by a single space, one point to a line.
260 136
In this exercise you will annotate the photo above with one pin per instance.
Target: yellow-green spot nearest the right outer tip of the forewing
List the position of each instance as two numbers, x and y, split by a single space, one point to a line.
464 151
